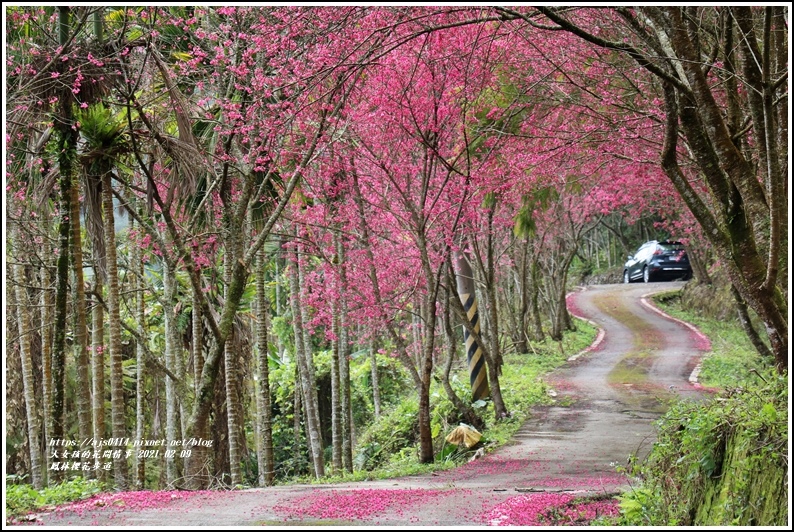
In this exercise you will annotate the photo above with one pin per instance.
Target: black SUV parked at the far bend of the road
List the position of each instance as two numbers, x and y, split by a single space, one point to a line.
658 260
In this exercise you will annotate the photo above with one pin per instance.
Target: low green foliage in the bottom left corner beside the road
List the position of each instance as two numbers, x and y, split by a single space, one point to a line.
22 498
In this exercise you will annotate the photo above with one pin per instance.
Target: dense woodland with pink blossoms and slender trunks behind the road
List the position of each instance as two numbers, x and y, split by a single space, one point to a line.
246 225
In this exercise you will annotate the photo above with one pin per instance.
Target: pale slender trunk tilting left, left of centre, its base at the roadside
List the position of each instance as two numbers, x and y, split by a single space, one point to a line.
303 358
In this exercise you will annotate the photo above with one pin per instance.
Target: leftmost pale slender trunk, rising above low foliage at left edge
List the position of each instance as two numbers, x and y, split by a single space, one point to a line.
28 378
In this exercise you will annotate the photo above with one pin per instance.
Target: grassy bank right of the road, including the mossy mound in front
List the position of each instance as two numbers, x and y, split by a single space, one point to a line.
723 461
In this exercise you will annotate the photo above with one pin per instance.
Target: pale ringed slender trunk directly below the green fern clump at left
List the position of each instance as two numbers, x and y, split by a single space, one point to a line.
117 400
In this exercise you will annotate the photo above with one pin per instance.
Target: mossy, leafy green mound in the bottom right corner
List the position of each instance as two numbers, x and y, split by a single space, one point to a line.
722 462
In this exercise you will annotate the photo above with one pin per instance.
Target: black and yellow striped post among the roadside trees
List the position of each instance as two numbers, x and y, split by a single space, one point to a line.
478 373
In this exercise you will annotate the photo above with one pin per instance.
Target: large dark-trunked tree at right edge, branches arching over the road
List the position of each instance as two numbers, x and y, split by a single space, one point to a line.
743 207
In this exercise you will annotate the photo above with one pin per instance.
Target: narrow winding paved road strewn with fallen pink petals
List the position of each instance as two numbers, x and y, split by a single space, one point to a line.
606 400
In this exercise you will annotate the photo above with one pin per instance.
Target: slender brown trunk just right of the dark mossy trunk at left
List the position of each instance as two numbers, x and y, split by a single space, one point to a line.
80 330
